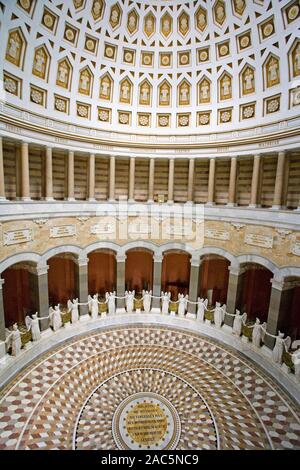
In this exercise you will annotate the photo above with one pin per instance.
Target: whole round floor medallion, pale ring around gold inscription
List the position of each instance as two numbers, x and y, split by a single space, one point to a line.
146 421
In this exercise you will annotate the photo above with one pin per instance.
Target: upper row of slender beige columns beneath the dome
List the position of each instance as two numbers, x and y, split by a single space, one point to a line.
278 197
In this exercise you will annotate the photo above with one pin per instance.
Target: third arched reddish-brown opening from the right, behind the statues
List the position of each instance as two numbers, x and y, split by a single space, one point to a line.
213 279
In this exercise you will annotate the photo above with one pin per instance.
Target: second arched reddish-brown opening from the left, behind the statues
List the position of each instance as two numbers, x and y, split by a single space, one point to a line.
62 279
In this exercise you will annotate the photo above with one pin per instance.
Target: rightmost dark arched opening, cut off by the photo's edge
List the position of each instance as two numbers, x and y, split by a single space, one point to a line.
290 312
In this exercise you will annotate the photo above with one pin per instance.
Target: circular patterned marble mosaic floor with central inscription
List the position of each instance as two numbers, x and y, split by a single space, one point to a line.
146 387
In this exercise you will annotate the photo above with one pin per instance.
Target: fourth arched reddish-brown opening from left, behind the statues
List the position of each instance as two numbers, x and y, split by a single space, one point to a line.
139 269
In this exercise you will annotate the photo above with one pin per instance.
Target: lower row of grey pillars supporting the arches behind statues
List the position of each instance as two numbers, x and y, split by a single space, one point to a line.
276 314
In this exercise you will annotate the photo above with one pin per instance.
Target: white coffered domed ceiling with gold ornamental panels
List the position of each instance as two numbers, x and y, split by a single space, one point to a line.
153 66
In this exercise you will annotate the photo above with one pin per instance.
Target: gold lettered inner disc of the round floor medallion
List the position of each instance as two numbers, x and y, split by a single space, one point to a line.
146 423
